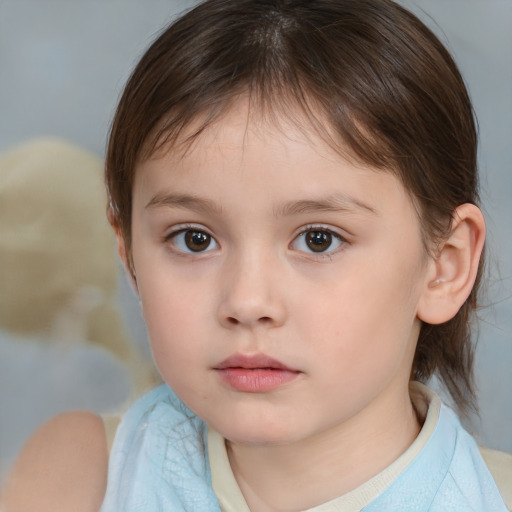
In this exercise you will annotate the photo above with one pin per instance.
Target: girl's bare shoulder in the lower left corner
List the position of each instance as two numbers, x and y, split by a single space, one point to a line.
63 466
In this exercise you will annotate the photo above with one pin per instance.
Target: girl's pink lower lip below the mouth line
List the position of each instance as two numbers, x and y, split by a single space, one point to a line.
256 380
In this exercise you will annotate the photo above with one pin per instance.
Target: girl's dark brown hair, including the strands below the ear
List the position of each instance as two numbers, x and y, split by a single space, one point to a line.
366 75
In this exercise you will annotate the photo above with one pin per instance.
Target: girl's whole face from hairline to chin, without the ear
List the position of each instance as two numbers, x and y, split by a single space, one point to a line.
280 283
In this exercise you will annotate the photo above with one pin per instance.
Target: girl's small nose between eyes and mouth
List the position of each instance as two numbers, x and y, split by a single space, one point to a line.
251 293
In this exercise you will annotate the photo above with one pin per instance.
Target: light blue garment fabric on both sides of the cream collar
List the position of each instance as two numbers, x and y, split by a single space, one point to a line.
159 462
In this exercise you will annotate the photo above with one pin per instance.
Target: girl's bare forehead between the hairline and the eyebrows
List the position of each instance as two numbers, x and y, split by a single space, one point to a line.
245 150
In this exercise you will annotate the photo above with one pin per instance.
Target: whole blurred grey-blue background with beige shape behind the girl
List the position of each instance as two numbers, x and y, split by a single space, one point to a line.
71 331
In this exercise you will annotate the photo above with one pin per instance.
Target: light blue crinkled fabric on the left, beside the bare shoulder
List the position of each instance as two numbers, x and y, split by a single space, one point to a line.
159 461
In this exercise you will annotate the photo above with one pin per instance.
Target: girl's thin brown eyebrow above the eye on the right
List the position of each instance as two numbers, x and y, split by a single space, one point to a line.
335 203
